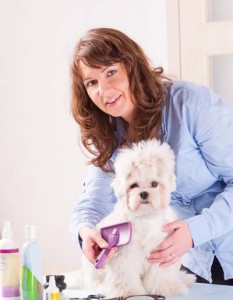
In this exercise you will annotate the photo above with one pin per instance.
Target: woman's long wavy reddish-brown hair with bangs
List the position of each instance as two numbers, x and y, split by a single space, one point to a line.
103 47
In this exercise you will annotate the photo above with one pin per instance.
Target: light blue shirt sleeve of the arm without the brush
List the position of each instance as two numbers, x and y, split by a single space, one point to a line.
213 131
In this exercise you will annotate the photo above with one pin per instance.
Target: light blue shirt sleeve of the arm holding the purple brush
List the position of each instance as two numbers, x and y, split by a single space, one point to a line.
95 202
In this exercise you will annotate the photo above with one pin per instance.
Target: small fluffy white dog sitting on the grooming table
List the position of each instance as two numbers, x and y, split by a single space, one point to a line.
146 167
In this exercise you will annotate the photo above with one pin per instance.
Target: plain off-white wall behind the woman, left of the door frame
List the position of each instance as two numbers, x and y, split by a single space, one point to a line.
41 166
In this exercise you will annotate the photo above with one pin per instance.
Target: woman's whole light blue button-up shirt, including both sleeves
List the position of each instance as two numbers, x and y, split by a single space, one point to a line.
198 125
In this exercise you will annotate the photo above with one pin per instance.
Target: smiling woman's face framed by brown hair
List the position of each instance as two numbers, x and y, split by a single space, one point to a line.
108 87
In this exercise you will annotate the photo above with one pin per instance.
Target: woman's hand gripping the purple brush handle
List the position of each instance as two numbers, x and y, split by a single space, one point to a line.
93 243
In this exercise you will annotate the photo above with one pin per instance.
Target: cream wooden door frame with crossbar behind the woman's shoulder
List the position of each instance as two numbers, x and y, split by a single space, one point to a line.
197 44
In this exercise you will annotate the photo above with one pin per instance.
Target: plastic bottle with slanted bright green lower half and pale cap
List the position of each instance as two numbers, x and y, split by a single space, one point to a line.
31 277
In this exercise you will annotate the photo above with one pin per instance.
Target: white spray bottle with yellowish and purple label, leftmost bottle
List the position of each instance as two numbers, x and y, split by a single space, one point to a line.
9 265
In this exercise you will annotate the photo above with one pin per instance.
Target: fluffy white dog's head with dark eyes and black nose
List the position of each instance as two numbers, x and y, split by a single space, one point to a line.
145 177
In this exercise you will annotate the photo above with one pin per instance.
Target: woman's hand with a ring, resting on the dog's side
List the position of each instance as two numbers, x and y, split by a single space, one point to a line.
174 245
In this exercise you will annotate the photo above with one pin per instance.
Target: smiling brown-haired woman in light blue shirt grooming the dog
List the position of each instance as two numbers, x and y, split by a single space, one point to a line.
119 99
